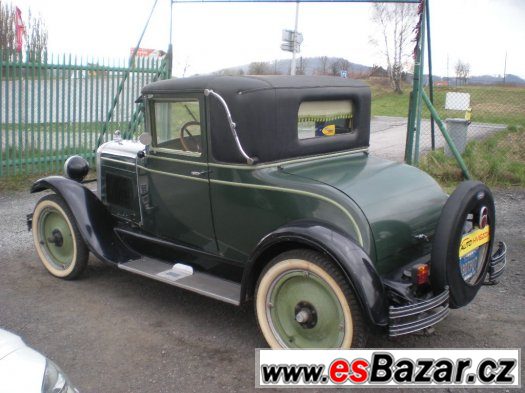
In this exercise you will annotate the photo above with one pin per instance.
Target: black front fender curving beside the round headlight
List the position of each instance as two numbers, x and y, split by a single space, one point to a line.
95 223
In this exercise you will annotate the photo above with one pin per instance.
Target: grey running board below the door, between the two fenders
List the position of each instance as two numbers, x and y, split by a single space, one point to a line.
183 276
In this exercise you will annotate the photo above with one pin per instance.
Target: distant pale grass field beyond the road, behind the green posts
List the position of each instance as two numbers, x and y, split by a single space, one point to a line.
490 104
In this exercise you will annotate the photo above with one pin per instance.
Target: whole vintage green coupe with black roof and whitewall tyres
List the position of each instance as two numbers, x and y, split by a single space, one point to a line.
262 188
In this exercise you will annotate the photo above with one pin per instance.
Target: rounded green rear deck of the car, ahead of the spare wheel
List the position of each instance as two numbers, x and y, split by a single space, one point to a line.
399 201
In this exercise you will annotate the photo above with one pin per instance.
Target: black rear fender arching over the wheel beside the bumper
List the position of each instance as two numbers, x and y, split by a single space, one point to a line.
351 258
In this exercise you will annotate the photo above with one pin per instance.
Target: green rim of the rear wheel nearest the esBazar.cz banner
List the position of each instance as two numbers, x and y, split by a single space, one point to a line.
296 290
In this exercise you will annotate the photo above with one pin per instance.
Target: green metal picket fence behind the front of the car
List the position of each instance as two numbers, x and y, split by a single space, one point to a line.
59 107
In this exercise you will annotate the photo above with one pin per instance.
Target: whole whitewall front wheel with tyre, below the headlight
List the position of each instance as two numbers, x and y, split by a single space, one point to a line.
57 240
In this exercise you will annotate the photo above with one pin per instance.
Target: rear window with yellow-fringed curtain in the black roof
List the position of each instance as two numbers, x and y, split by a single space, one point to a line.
324 119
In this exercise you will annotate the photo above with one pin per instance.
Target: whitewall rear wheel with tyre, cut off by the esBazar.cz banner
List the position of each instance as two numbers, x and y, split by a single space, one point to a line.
304 301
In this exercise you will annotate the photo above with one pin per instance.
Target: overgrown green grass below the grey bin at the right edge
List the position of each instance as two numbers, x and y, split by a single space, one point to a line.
498 161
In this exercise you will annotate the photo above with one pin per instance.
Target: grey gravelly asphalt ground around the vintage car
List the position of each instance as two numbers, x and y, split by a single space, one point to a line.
112 331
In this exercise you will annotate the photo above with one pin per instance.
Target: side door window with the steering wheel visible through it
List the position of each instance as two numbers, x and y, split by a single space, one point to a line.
177 125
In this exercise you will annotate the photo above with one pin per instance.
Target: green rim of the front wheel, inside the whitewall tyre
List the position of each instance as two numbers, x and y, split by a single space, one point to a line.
56 238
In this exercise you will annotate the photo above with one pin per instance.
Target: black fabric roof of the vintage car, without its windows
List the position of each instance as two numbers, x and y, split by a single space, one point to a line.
265 109
